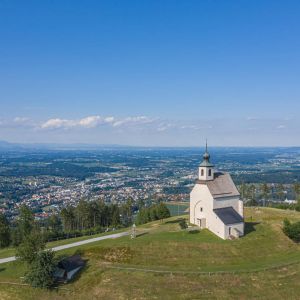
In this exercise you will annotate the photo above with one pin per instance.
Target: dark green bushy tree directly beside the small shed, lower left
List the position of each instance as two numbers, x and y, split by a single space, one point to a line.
40 271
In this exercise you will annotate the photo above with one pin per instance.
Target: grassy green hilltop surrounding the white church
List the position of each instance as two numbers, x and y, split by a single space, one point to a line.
164 262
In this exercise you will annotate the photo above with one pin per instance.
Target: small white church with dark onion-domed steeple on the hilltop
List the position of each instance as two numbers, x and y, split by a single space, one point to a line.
215 202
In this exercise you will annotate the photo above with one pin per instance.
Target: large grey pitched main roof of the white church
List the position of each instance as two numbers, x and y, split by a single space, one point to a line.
221 186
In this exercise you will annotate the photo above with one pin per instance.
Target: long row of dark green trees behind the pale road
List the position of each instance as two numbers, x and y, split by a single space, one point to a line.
87 217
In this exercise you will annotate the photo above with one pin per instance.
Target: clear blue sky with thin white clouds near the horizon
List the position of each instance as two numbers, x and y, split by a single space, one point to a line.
159 73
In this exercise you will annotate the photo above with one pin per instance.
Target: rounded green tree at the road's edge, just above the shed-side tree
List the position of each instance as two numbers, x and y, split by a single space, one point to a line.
30 246
